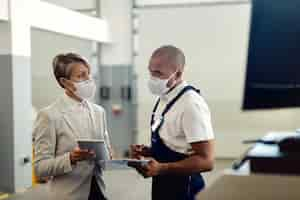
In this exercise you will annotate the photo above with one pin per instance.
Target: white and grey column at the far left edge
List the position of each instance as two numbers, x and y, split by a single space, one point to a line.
15 95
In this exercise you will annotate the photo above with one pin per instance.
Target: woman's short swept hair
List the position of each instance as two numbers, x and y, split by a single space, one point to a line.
61 65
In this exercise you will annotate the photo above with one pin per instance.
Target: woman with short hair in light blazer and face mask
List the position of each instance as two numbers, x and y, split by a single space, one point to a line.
72 171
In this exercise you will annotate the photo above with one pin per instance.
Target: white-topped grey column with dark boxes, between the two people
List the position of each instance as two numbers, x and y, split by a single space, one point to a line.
116 72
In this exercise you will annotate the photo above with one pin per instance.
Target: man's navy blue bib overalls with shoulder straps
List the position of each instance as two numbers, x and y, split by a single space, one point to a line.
171 186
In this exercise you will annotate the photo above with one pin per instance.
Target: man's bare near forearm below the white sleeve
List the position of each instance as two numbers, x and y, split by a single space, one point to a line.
193 164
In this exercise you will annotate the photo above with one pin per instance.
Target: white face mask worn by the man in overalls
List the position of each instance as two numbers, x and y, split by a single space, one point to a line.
158 86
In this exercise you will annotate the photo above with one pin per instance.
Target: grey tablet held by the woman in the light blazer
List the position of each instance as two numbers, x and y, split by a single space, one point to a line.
98 146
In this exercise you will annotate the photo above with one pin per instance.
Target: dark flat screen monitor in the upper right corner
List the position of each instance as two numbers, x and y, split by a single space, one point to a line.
273 65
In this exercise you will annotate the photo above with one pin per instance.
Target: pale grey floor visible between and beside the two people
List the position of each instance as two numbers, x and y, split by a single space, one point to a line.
126 184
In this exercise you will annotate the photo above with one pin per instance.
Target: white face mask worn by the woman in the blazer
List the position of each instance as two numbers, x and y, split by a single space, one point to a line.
85 89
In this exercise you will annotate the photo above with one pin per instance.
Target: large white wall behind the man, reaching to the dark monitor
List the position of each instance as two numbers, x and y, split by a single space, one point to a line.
214 39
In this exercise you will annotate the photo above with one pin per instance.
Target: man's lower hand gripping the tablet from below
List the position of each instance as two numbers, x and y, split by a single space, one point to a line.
153 168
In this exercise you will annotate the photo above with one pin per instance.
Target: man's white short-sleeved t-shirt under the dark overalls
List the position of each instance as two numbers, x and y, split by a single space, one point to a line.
188 120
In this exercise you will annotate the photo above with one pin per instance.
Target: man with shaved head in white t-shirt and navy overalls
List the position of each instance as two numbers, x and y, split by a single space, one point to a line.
182 135
